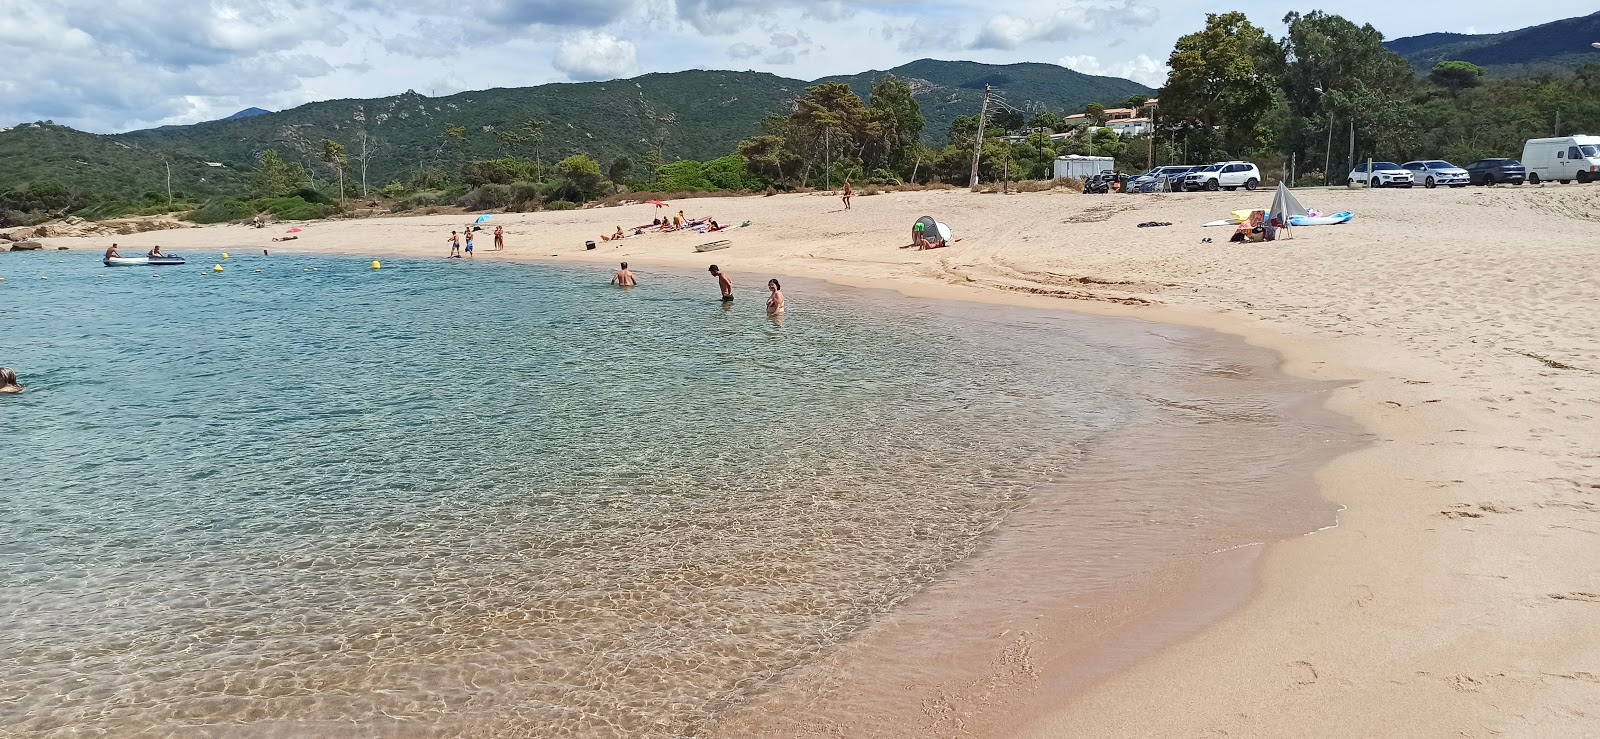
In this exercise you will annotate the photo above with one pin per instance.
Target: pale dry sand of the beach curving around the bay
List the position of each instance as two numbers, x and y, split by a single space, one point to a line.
1462 593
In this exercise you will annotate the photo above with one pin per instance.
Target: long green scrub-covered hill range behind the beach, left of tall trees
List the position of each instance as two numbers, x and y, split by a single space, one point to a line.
694 114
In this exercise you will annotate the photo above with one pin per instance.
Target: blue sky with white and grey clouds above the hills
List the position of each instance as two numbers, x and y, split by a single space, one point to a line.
113 66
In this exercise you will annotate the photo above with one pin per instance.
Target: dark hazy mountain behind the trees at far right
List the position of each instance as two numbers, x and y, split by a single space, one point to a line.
1554 46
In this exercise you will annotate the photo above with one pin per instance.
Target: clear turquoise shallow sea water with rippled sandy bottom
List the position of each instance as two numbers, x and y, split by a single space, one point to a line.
305 498
